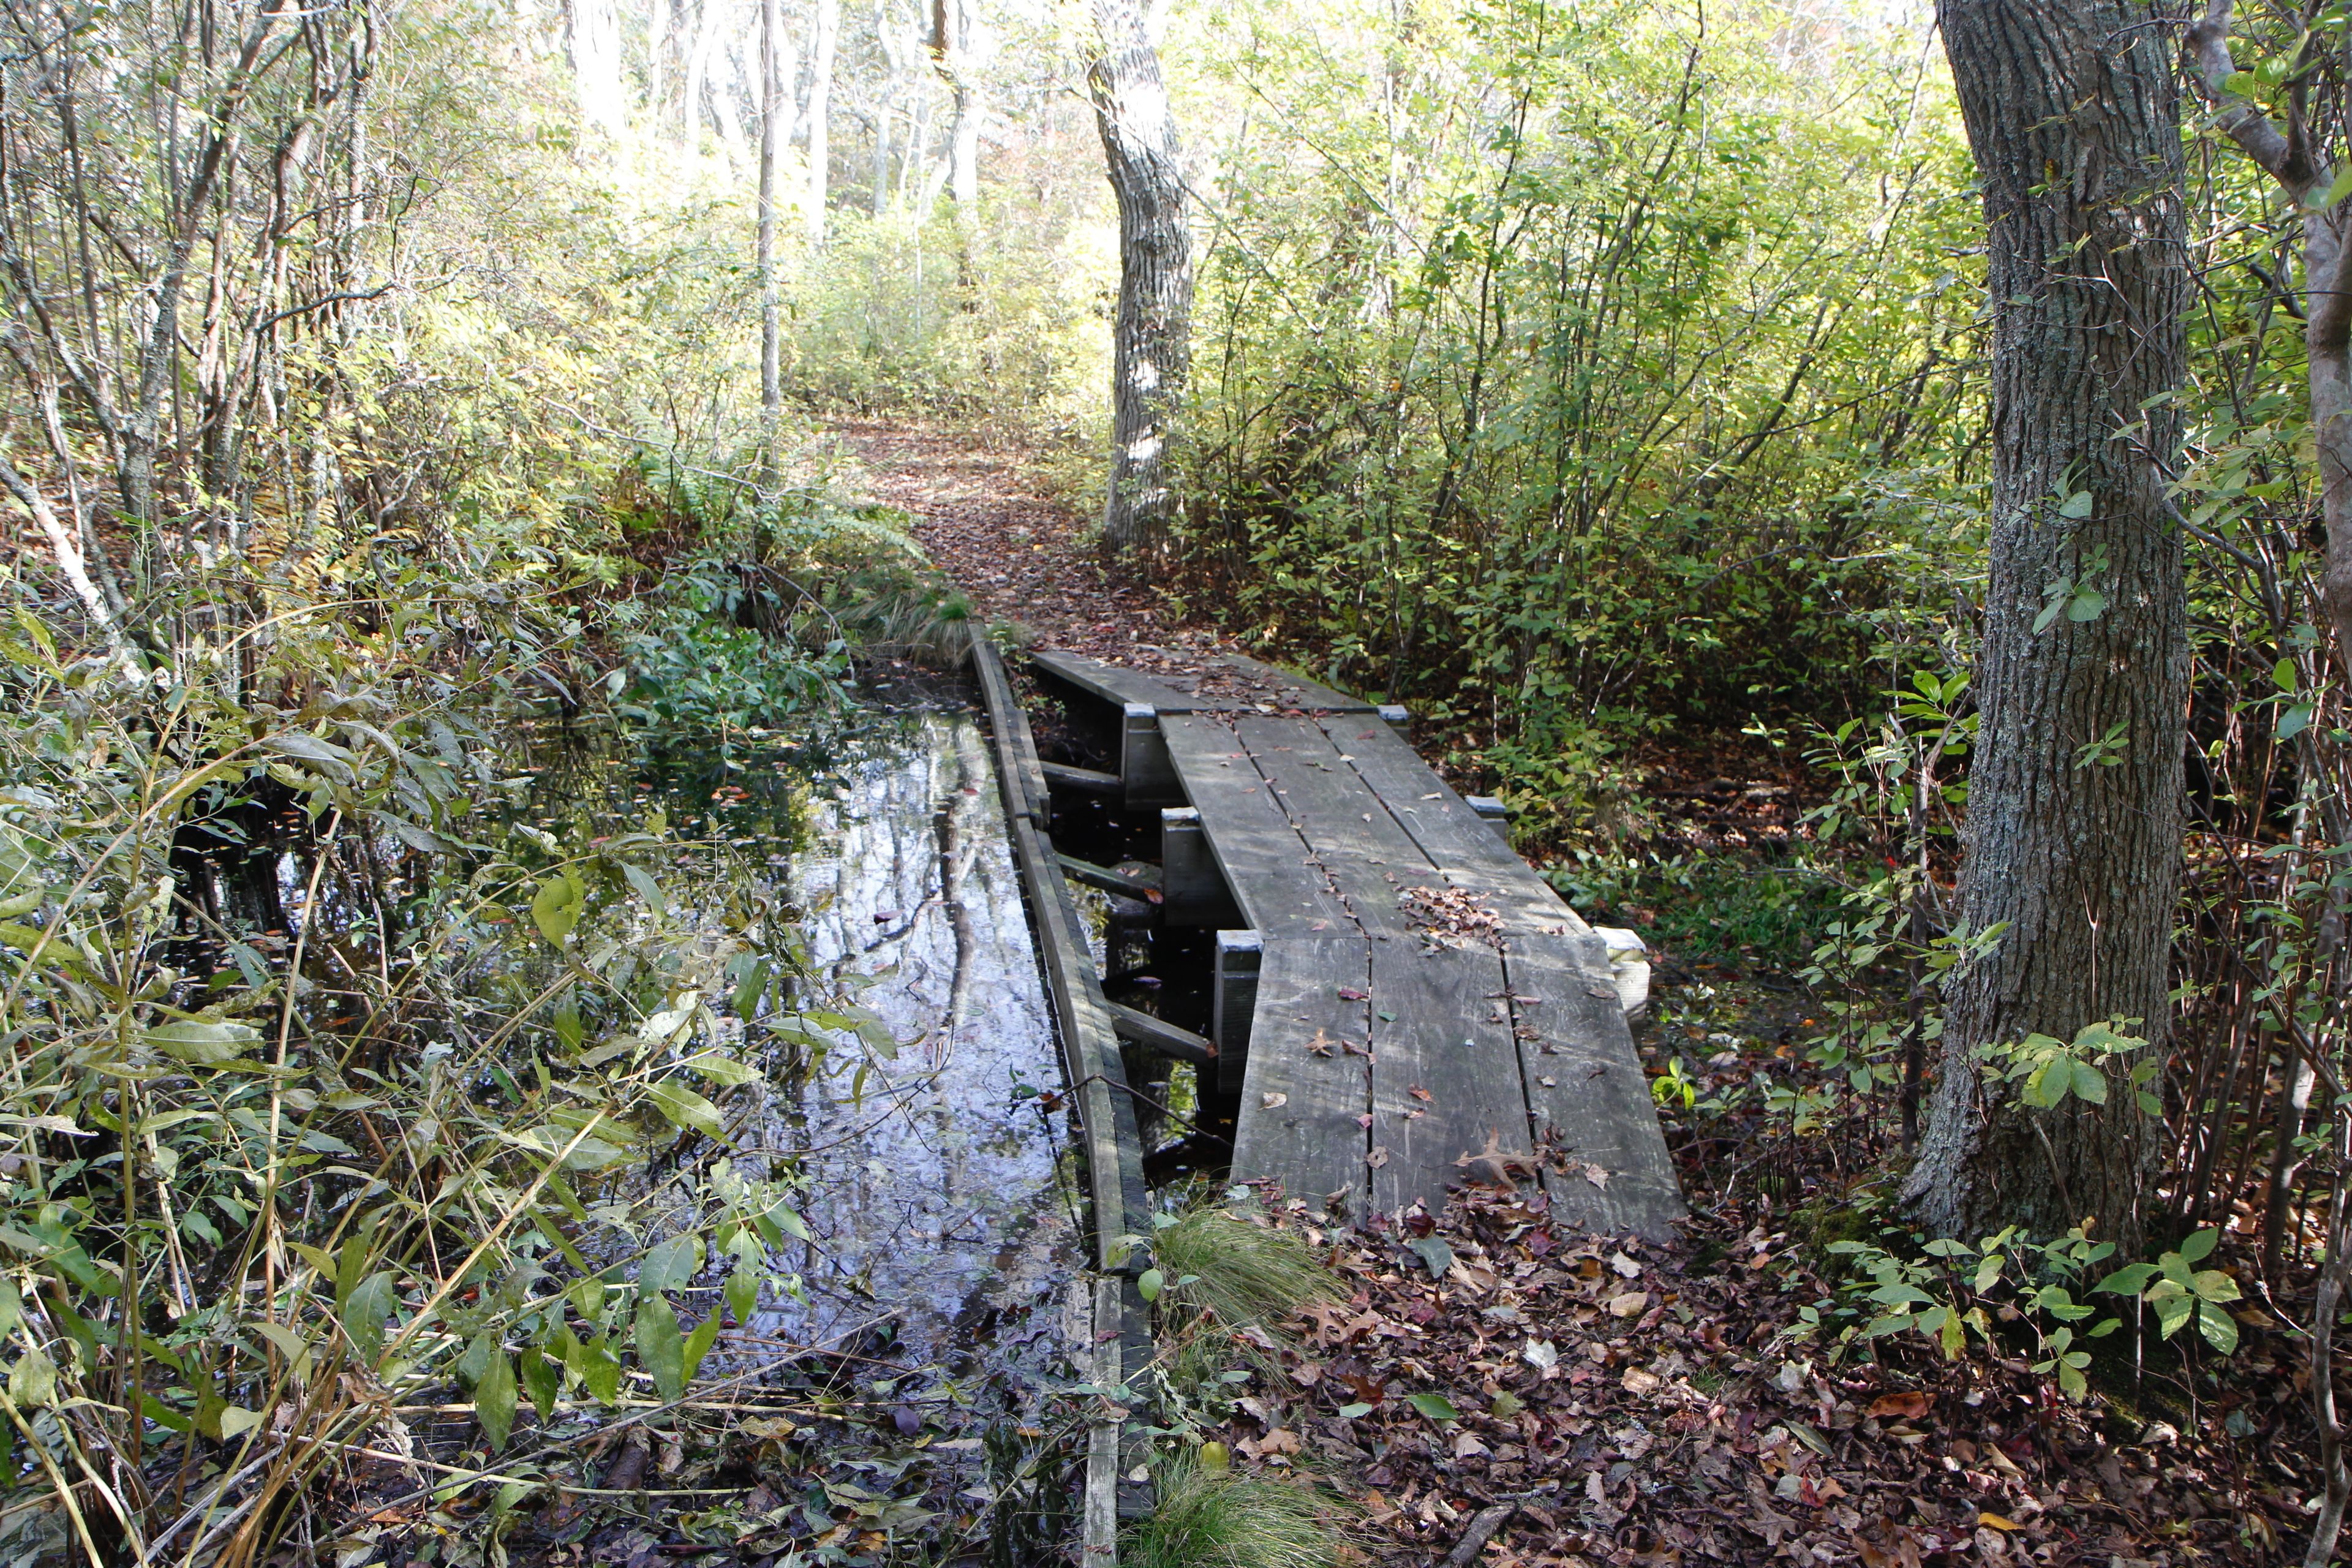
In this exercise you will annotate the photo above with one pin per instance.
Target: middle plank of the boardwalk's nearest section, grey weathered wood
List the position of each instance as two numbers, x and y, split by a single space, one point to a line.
1450 1040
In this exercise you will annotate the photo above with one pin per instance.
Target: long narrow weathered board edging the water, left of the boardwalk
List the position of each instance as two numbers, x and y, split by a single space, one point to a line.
1107 1113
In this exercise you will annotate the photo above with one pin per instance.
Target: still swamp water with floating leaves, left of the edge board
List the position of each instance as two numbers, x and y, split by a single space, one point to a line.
855 869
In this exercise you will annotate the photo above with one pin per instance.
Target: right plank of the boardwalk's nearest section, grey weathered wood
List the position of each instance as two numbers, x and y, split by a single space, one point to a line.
1584 1078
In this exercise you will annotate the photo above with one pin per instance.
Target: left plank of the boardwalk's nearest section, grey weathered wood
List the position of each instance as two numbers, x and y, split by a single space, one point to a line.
1309 1059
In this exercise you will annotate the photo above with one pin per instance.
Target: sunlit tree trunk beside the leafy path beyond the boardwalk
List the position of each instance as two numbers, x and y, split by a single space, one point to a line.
1151 340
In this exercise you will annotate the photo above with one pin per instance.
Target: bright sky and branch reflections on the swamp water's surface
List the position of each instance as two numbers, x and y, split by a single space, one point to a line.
933 1172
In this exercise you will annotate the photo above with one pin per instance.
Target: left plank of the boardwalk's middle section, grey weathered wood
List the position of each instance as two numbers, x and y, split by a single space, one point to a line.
1259 852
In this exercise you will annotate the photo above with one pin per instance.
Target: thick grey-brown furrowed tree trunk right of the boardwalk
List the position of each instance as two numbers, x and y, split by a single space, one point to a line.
2076 798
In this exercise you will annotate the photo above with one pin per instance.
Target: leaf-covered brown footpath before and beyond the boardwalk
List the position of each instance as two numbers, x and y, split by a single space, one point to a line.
1502 1388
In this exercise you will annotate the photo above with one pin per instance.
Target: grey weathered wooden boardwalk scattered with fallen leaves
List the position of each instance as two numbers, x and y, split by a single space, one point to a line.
1401 1003
